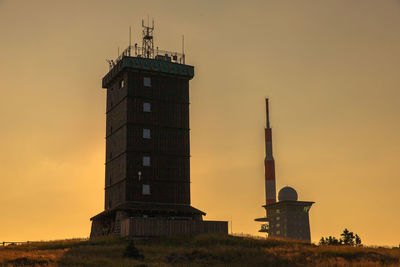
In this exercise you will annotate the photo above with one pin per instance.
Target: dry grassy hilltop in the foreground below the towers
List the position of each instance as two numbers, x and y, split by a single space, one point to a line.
212 250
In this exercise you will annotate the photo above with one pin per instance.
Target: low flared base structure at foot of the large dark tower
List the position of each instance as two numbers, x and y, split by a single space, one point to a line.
140 219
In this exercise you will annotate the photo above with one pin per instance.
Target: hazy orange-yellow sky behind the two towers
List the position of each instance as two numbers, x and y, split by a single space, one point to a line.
330 68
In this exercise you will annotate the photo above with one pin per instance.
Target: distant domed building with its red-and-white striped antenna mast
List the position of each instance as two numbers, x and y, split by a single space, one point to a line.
287 218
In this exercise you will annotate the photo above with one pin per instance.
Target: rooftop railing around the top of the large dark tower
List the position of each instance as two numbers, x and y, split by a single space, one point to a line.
157 54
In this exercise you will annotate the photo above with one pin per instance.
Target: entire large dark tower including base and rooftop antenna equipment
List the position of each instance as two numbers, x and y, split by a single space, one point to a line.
147 177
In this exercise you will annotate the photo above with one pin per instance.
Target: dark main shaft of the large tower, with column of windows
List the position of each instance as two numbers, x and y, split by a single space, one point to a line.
147 133
